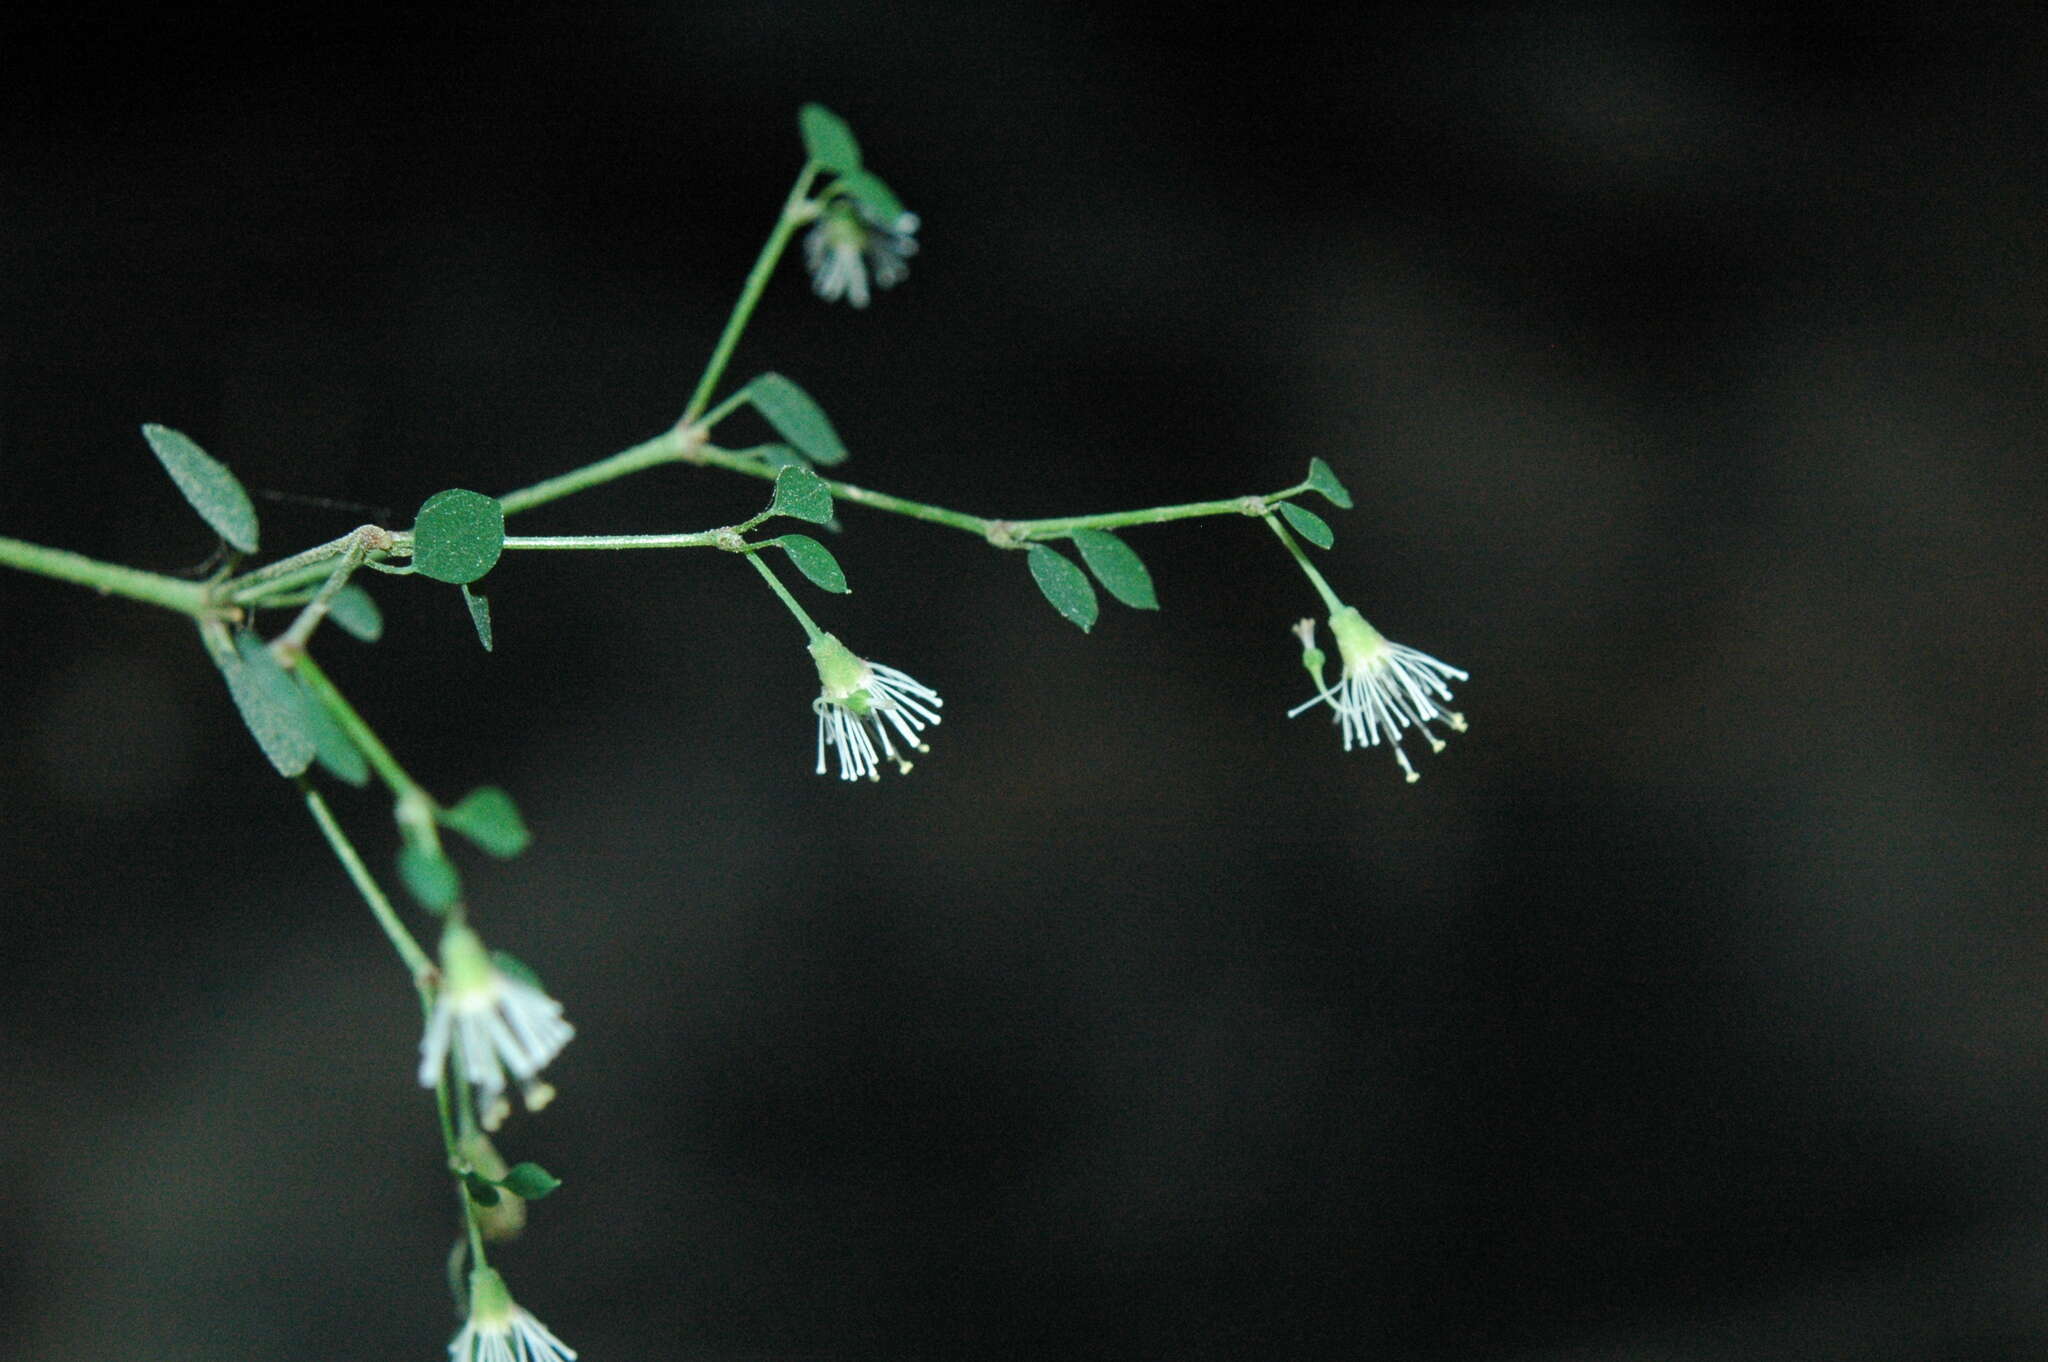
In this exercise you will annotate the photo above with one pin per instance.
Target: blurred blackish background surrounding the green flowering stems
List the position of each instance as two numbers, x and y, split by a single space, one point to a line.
1691 384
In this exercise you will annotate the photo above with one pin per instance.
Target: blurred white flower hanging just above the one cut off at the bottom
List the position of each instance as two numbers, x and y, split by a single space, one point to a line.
497 1023
